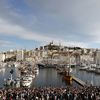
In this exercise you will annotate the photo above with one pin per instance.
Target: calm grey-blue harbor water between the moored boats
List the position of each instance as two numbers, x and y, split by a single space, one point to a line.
48 77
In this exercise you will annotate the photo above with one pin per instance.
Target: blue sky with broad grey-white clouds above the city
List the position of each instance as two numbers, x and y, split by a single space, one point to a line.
27 24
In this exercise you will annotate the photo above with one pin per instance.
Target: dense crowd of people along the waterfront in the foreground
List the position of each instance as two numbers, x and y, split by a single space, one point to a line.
51 93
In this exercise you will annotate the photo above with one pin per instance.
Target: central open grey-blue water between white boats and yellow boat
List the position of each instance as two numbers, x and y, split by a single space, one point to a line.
48 77
